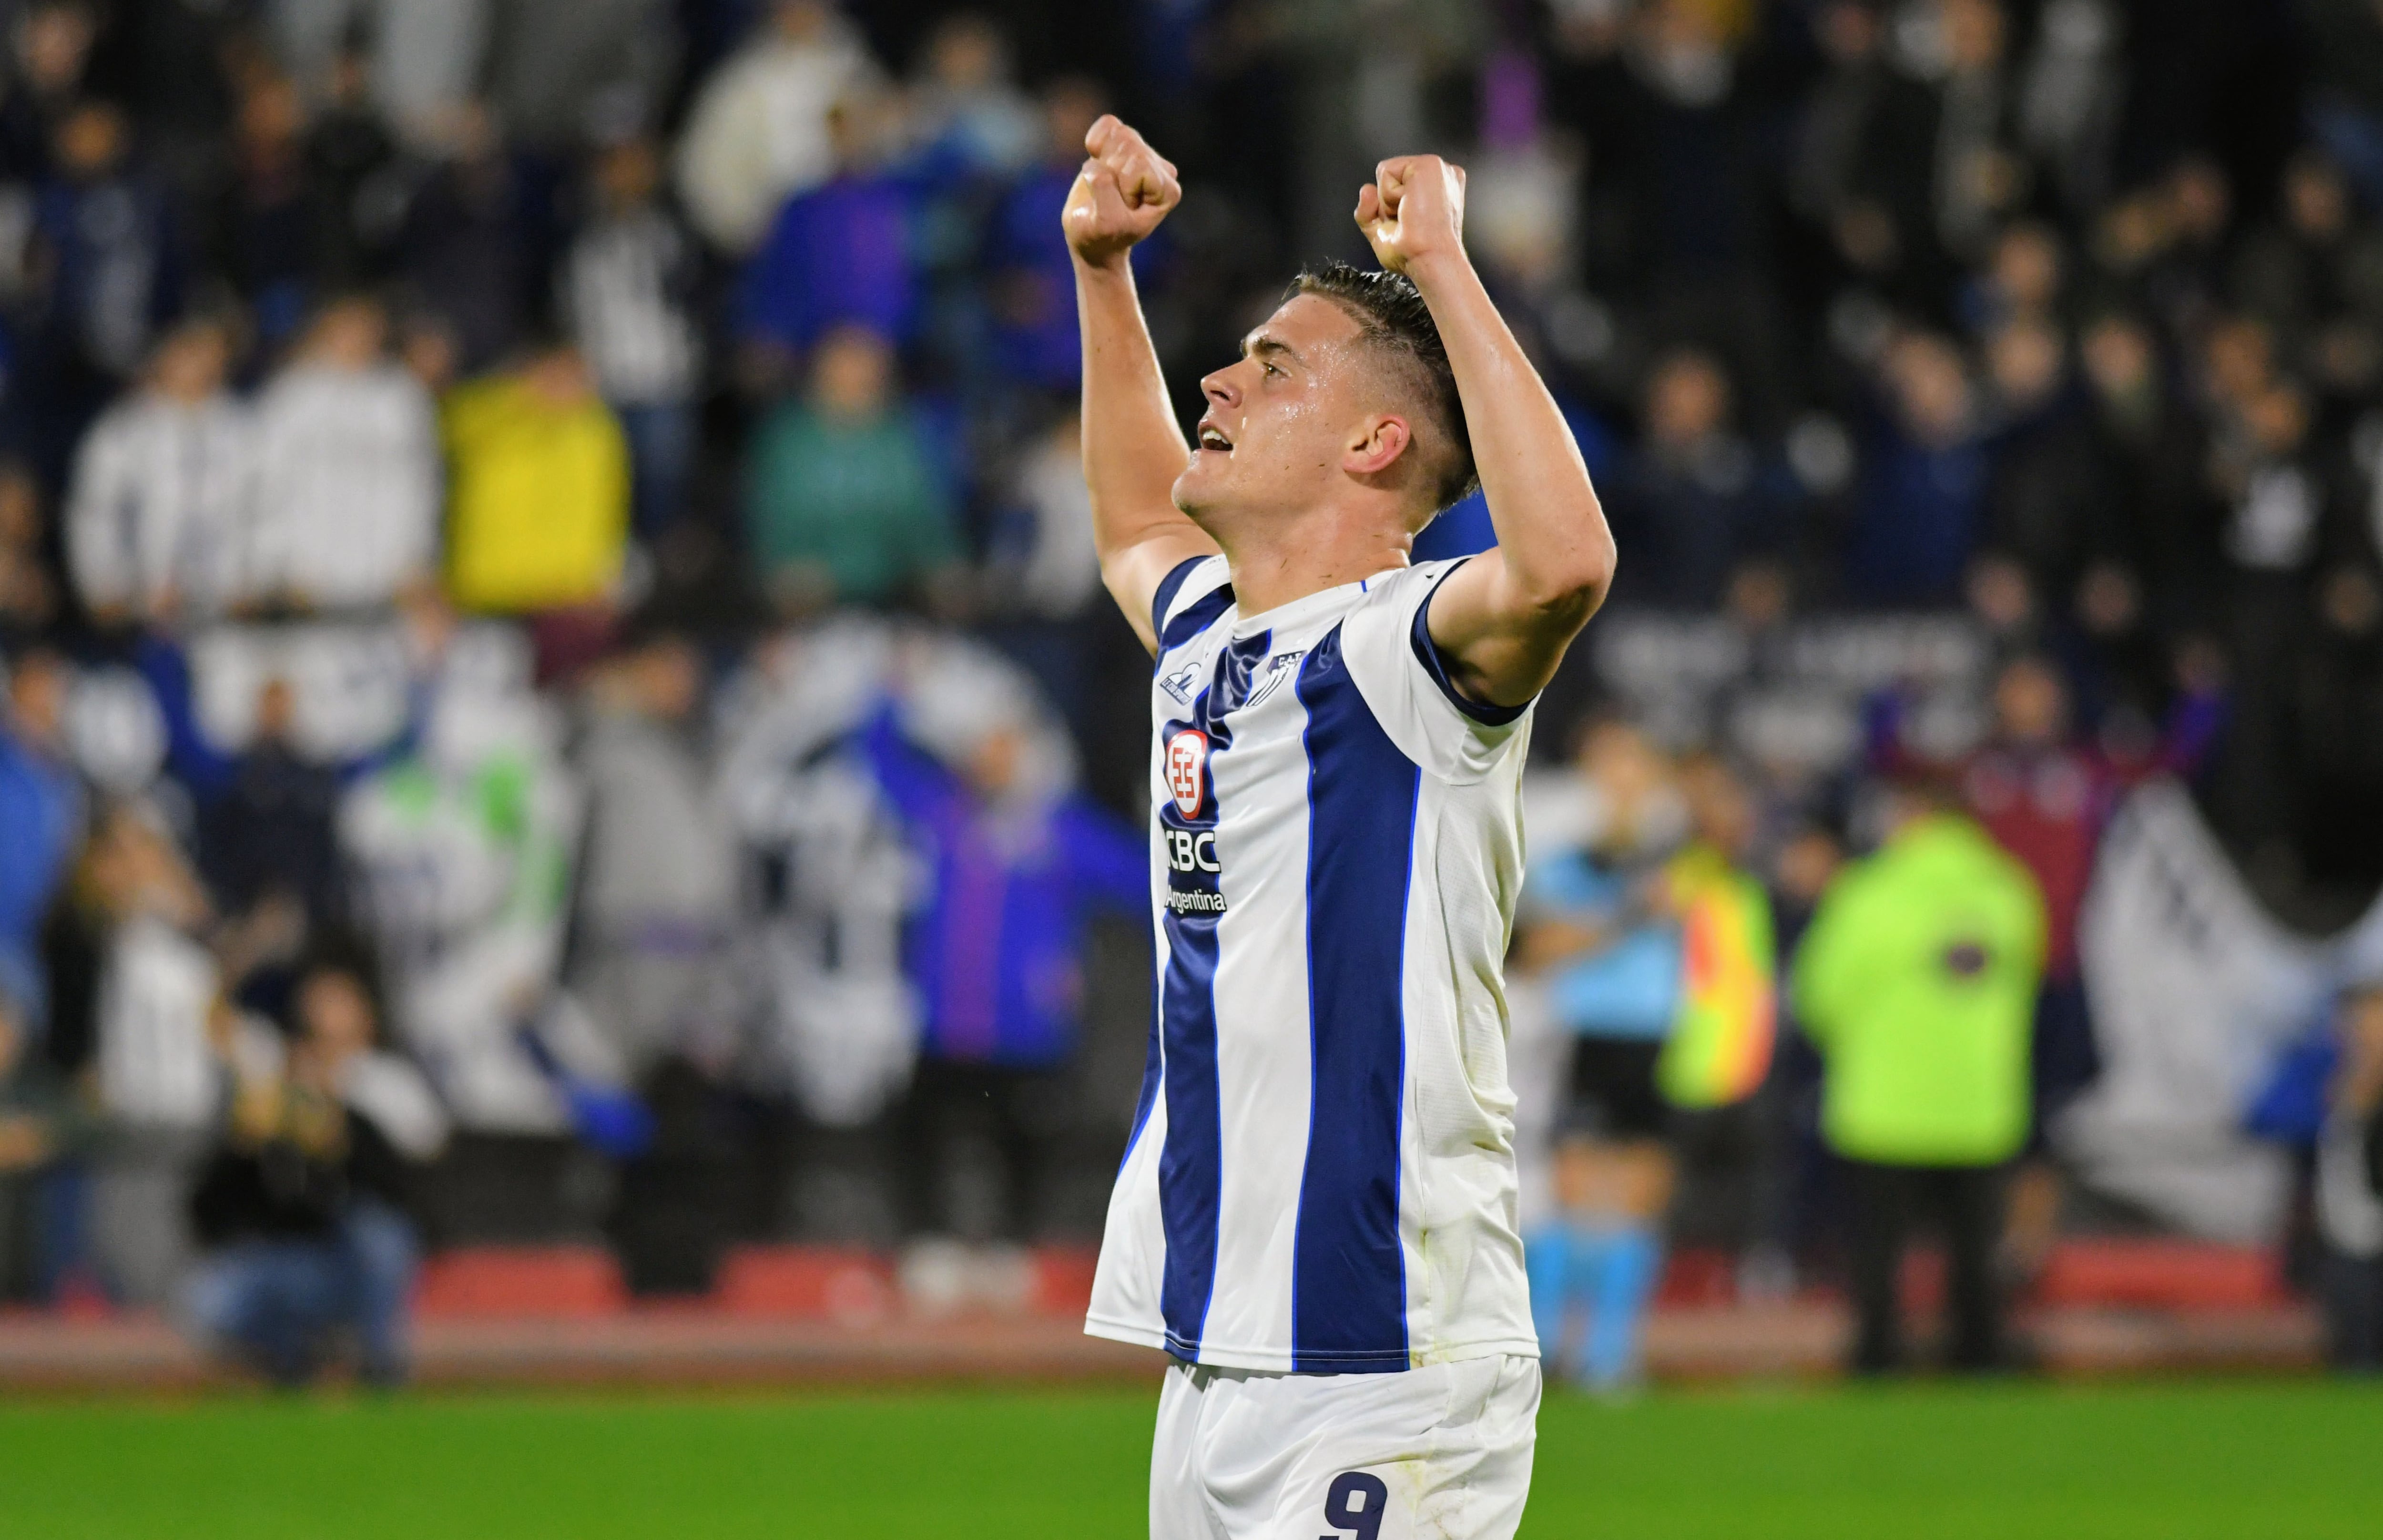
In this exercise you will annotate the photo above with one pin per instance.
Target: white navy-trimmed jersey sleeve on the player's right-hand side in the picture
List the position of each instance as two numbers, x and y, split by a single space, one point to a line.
1398 669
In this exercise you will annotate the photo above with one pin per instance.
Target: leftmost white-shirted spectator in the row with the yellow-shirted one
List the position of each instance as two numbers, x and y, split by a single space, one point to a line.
161 490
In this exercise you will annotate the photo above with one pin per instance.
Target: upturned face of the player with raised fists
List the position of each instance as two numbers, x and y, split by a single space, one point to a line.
1278 421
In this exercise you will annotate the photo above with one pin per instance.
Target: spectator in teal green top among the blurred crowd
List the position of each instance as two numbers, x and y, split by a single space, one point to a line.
845 499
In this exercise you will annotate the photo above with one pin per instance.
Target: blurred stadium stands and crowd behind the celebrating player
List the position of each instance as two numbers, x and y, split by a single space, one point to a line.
566 757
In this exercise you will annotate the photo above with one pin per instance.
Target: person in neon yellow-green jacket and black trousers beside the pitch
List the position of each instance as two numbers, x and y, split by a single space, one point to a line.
1917 986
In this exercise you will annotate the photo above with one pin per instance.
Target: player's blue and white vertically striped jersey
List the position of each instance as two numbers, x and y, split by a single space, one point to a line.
1321 1174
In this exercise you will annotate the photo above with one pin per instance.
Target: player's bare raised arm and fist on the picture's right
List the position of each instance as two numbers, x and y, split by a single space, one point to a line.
1507 616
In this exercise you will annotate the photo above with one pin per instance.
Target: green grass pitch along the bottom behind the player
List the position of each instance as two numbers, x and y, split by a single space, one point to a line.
2005 1463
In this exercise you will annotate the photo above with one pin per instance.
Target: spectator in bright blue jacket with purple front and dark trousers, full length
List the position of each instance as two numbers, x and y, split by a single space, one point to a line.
983 781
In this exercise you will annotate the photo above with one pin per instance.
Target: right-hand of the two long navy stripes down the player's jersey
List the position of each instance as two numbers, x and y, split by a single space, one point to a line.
1348 1265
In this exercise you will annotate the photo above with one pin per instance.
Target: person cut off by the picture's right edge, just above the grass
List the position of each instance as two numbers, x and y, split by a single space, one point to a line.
2351 1191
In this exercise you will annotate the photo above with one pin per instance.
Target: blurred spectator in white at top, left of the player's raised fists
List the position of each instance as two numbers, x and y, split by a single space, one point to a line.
759 132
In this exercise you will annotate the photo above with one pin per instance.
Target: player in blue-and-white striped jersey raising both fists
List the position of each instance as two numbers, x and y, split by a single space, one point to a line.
1317 1215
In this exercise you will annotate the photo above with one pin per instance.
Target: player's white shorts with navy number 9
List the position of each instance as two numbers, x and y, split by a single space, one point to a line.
1431 1453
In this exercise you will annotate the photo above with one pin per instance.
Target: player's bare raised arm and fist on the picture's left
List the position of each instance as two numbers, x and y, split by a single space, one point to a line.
1133 445
